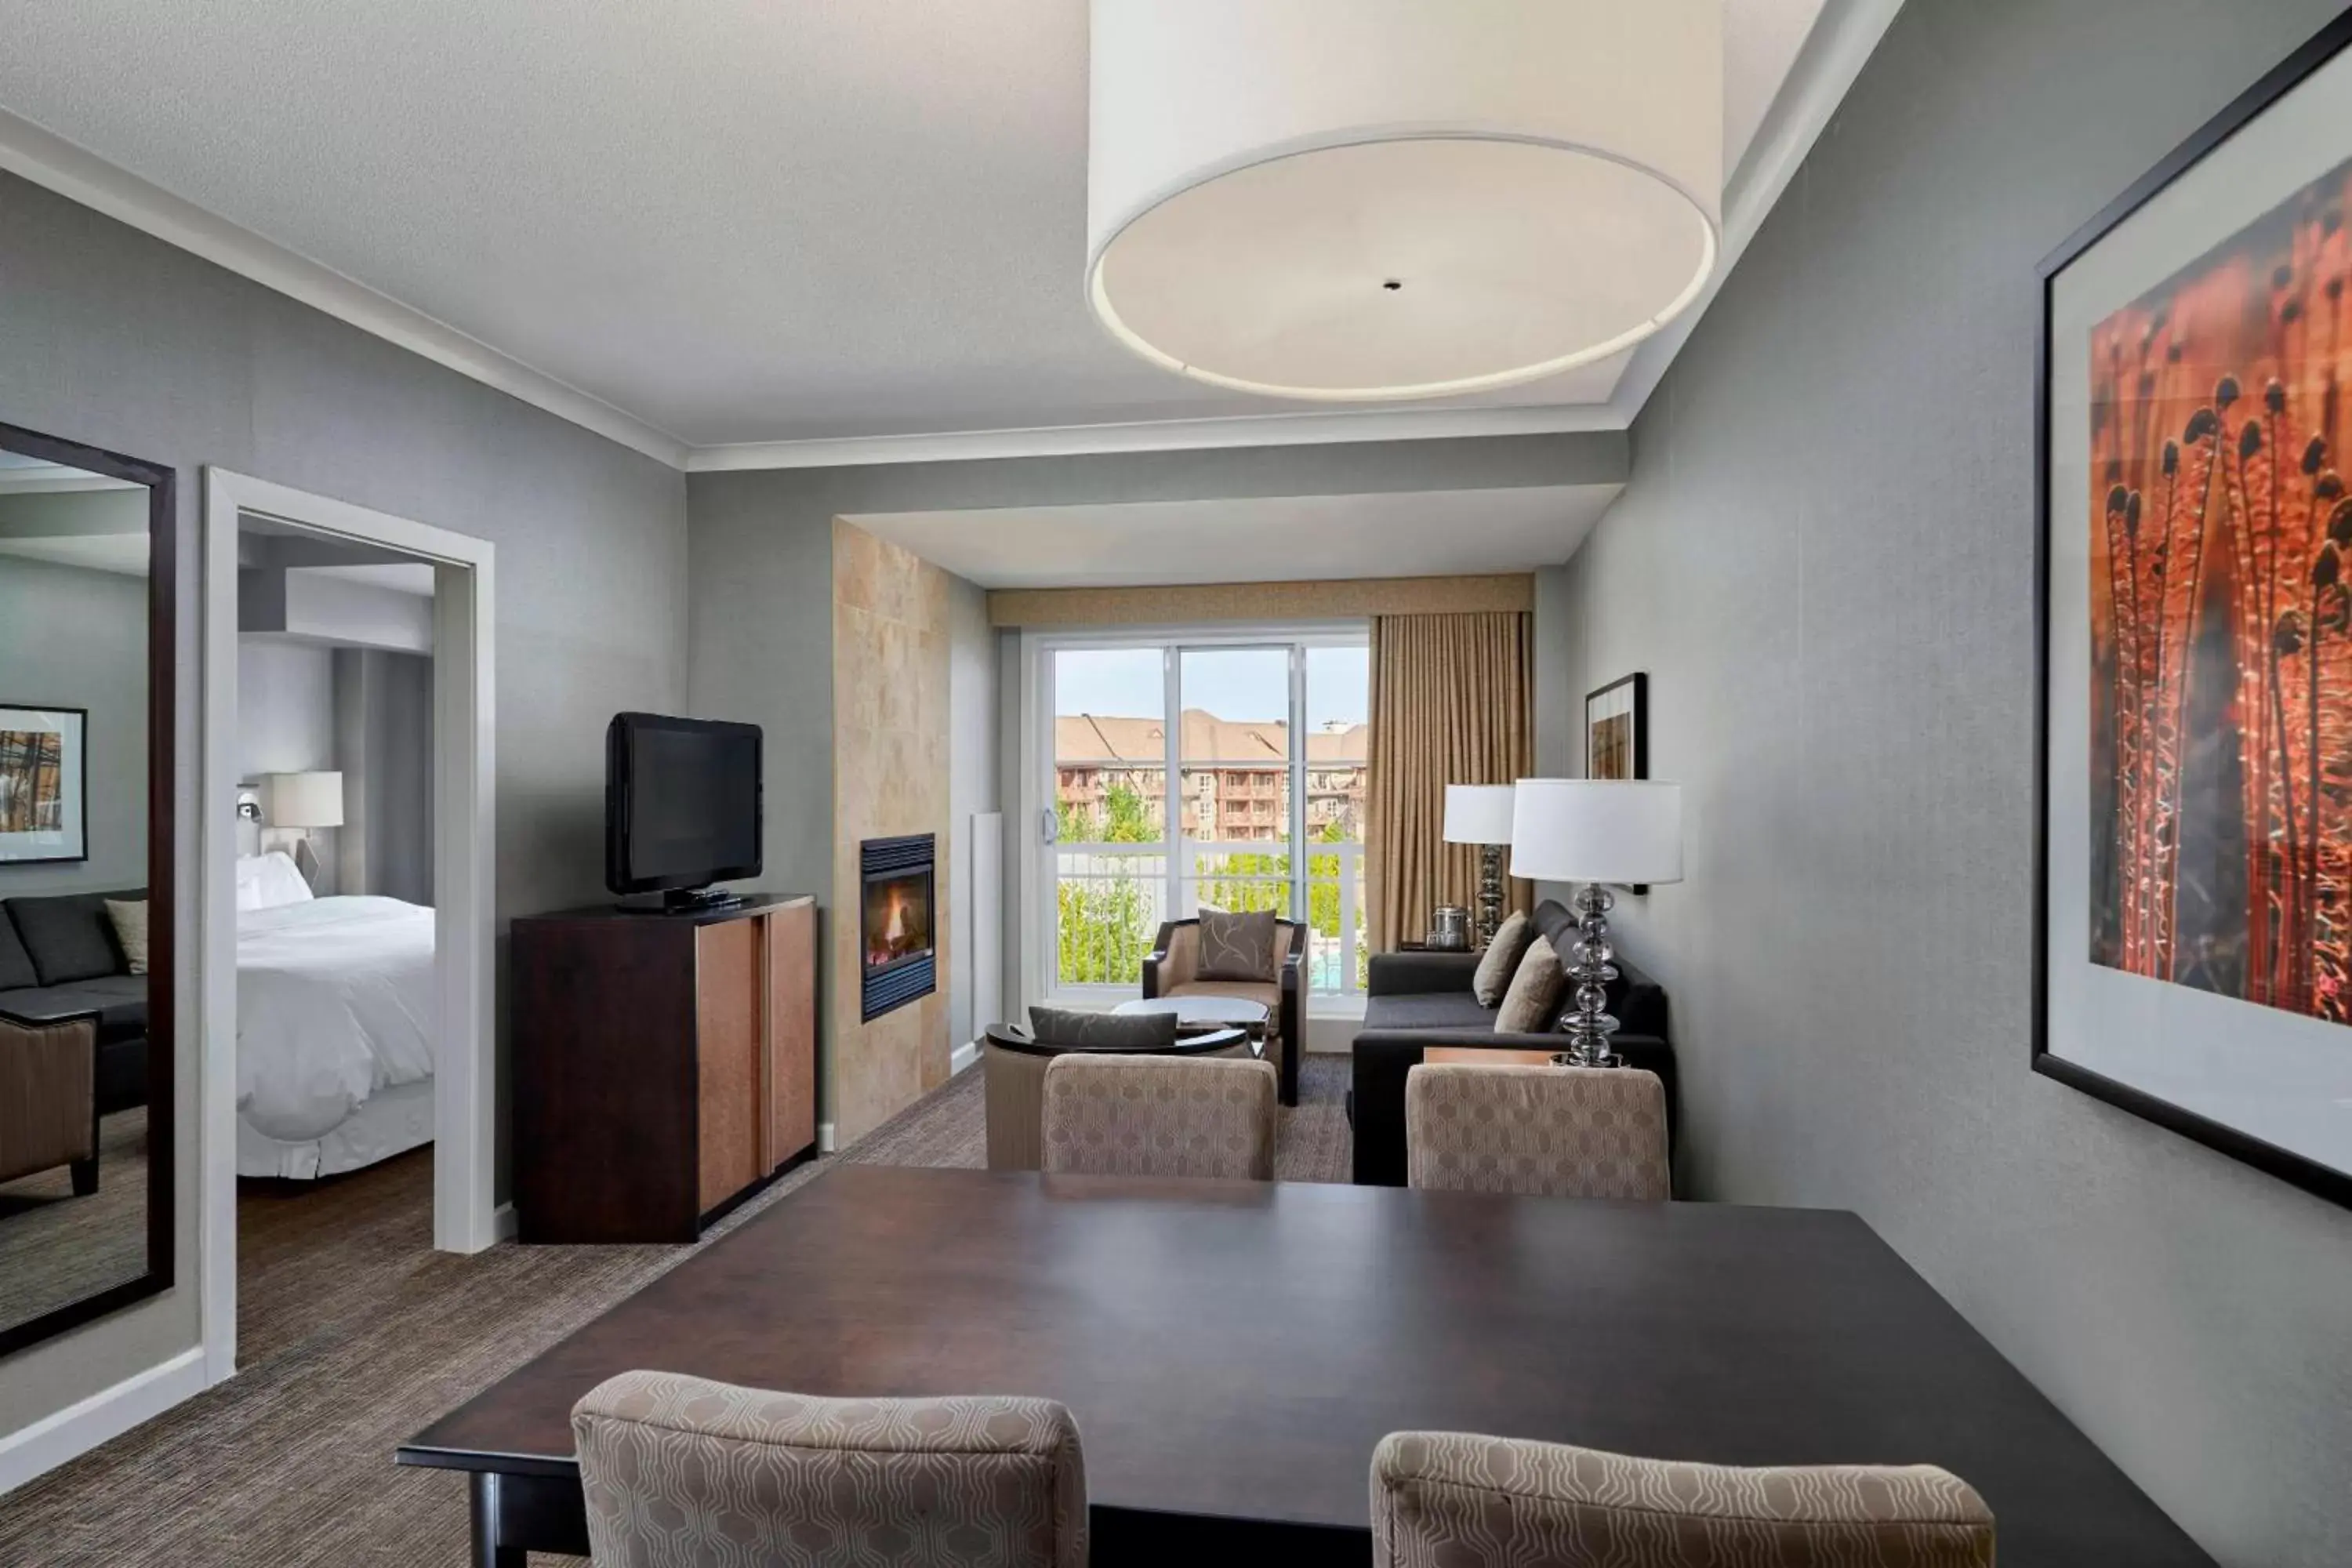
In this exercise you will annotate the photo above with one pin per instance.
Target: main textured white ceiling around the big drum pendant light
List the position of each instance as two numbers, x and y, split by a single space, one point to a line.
737 220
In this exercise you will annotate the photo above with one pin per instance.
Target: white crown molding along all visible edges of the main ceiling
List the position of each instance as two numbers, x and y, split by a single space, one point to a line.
1826 69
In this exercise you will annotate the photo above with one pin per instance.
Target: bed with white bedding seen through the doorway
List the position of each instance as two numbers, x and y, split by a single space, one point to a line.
335 1026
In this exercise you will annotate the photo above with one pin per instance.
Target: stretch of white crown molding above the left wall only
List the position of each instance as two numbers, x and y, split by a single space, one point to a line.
79 175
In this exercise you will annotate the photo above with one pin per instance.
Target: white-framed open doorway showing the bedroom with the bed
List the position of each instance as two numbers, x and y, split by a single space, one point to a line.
347 1080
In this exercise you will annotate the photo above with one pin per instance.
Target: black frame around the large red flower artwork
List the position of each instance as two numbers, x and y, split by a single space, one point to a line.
2287 1165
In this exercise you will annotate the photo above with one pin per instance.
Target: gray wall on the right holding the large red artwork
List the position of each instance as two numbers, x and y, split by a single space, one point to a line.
1824 561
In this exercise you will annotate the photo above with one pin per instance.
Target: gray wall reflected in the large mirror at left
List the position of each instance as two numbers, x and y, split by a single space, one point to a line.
79 641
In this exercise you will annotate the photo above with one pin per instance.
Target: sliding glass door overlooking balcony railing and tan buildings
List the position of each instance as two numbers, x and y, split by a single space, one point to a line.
1203 777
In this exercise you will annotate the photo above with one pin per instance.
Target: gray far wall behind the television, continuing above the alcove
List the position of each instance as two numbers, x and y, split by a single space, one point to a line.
763 577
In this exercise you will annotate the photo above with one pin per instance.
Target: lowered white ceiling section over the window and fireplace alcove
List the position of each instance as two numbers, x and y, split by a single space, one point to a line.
1269 540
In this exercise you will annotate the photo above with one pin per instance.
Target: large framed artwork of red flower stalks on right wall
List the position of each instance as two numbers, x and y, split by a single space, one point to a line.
2196 638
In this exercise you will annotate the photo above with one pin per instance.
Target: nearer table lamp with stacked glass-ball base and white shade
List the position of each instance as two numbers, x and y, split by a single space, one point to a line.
1593 831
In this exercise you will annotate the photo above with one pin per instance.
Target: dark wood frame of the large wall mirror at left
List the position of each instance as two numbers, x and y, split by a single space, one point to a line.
163 909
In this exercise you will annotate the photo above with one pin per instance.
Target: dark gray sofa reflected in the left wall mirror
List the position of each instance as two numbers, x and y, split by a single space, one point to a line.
60 960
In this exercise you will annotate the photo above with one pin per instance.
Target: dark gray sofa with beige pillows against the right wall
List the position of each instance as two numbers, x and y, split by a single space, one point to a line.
1419 1000
